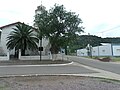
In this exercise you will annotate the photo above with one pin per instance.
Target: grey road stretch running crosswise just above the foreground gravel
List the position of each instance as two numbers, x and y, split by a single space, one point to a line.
25 70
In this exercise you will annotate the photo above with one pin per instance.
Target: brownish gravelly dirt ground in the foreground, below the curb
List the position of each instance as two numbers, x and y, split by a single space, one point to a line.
57 83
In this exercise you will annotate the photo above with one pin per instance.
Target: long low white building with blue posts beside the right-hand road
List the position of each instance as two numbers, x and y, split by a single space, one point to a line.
103 50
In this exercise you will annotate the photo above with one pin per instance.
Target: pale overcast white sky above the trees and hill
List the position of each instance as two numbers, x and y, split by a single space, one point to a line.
100 17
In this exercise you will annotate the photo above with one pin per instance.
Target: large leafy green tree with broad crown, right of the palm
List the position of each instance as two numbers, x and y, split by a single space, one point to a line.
59 26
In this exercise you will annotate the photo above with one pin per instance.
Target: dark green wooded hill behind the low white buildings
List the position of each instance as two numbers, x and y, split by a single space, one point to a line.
93 40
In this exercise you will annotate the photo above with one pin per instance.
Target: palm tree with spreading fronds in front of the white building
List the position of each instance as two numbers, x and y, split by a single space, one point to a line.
22 38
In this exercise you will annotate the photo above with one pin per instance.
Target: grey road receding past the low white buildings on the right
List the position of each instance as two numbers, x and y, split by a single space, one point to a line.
115 68
